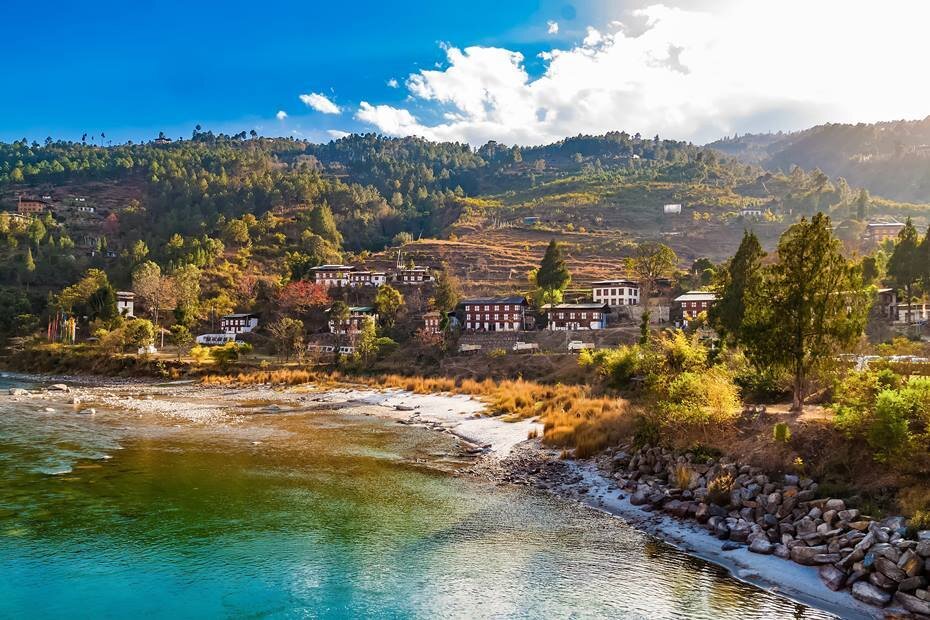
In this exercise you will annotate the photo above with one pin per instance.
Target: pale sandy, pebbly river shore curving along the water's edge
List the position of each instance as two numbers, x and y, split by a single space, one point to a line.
508 458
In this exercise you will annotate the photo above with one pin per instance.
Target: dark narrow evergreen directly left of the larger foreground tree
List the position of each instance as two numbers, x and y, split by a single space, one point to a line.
736 283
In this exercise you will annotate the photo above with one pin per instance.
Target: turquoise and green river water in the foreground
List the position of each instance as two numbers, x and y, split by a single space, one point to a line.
312 515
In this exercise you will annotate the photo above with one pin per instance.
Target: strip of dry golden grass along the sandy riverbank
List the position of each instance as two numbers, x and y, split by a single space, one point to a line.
572 417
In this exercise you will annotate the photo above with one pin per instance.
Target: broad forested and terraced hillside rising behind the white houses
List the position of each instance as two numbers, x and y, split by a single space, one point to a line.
251 213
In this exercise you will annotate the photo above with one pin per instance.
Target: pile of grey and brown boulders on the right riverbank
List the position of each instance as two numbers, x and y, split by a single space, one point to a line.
784 516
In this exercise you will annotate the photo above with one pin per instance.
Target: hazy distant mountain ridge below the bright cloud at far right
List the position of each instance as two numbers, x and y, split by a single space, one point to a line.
891 159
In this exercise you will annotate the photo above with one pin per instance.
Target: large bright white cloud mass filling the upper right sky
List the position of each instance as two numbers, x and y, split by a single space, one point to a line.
683 74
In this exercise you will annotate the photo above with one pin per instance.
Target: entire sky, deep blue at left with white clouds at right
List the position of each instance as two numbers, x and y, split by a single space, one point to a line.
514 70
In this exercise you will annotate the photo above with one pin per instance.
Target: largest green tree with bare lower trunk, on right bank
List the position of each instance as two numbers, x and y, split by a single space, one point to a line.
811 303
